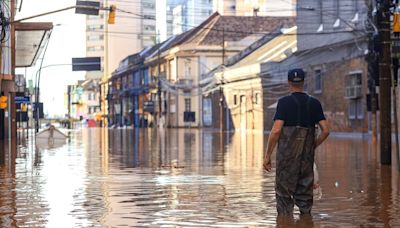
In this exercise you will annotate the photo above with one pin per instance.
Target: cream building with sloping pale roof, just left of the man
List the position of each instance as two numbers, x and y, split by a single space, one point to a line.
240 102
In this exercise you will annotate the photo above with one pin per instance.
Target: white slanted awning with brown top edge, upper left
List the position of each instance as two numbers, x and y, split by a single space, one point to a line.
30 39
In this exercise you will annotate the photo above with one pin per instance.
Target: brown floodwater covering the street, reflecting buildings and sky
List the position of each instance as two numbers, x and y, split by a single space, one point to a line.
184 178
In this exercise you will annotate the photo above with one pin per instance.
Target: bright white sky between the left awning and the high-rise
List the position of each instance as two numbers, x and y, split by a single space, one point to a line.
67 41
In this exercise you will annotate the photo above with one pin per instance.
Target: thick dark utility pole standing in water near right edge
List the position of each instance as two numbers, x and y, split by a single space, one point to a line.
383 16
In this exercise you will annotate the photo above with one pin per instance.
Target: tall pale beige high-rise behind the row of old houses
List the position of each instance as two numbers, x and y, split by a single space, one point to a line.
134 30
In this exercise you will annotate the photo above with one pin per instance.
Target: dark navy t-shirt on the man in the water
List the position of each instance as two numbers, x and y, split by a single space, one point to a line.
287 110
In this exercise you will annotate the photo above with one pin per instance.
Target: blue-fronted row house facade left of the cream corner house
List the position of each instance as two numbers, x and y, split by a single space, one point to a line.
132 92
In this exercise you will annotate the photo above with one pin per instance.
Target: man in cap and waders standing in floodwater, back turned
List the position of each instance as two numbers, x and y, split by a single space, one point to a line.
294 129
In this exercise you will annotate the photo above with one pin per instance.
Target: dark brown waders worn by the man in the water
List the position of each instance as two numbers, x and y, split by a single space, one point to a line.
294 170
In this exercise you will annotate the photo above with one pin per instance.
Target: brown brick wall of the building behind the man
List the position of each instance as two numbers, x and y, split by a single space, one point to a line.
332 95
